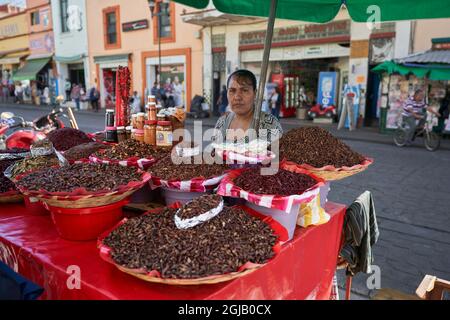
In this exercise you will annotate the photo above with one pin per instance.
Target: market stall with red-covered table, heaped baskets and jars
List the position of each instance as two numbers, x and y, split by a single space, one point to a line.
220 230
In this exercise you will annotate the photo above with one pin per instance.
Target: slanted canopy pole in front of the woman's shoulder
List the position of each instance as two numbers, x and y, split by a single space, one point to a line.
265 64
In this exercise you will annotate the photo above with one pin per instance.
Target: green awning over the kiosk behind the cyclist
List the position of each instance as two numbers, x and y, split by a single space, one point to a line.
431 72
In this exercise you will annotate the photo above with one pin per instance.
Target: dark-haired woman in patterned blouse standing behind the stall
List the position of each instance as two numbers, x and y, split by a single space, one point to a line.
234 126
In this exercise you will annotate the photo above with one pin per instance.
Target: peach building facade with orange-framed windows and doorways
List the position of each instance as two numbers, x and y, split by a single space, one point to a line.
121 34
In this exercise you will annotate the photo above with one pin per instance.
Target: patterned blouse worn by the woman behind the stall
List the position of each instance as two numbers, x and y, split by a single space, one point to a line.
269 128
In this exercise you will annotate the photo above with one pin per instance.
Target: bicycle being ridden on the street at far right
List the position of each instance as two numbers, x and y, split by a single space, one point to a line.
432 140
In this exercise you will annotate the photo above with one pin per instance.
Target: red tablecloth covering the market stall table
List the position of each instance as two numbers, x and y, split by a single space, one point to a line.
30 245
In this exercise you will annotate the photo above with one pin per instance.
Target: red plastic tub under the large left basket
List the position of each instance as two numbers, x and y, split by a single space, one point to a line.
87 223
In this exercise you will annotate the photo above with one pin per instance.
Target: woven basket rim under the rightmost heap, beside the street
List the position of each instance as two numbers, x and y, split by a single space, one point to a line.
330 173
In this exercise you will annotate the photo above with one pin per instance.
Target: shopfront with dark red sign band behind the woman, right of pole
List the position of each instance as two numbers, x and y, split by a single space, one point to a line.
299 55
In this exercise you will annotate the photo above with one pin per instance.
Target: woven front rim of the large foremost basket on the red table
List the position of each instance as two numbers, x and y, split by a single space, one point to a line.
189 282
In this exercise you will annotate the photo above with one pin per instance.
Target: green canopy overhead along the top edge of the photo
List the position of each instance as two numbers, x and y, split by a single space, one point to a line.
325 10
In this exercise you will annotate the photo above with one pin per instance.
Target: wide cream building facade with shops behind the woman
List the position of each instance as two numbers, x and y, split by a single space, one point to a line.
302 51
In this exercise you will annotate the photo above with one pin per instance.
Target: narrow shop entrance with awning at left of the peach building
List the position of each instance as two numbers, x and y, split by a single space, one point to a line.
106 74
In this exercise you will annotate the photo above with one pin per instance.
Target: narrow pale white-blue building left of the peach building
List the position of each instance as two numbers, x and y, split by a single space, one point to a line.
71 44
